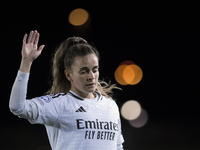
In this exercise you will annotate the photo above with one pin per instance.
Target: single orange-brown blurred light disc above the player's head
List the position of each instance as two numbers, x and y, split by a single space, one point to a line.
78 17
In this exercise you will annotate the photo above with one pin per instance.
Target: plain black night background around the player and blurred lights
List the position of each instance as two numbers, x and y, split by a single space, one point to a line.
159 36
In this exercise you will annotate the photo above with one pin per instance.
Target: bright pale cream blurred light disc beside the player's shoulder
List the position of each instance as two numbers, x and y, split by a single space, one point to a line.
130 110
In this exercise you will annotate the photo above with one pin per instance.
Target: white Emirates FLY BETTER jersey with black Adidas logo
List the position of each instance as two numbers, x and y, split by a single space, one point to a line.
76 123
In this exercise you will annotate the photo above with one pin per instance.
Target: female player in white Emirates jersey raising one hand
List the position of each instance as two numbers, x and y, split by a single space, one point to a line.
77 112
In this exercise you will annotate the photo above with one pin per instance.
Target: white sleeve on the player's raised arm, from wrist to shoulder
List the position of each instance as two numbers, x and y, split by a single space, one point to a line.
41 110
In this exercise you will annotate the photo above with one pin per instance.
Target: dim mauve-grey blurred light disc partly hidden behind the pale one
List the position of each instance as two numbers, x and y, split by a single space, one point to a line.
141 120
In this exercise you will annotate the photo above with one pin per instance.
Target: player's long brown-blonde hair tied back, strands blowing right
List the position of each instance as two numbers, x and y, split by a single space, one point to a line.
64 58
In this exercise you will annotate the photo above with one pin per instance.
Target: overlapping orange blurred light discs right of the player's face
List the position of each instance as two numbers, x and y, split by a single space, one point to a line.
128 73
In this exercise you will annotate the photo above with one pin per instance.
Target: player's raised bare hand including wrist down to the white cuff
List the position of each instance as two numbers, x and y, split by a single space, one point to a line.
30 50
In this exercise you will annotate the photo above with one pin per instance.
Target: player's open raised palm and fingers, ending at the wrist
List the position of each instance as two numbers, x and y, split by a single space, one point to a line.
30 50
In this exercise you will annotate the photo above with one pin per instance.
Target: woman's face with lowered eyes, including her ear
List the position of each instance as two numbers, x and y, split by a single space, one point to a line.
84 75
